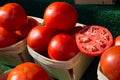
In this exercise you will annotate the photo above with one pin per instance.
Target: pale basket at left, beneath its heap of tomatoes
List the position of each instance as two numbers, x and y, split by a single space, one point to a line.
15 54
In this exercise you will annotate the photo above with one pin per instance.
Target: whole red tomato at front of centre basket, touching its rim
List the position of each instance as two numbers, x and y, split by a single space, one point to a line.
62 47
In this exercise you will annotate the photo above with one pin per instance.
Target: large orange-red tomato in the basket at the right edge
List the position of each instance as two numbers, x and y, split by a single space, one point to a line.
110 63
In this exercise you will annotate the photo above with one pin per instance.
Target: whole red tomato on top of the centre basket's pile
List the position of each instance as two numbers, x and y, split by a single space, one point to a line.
61 16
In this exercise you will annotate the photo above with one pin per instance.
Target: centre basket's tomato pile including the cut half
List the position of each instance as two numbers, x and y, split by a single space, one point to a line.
60 39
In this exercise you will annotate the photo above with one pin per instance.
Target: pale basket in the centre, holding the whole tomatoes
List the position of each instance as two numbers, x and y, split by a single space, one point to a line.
72 69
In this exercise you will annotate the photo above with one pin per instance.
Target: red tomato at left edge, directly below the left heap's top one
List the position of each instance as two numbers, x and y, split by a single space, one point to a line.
7 38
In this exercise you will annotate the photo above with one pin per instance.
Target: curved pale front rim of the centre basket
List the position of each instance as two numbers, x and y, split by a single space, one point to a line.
55 63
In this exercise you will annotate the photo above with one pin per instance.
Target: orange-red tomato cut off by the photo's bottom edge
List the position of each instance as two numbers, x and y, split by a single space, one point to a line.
28 71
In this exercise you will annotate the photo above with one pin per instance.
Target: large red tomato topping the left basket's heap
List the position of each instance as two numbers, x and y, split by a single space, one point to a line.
12 16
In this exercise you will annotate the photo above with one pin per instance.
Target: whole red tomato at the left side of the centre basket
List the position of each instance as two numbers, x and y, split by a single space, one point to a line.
39 37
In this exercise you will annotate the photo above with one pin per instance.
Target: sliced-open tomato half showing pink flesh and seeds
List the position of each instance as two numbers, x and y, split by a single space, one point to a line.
93 40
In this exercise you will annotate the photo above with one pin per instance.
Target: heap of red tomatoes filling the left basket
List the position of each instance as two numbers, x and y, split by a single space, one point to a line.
14 24
